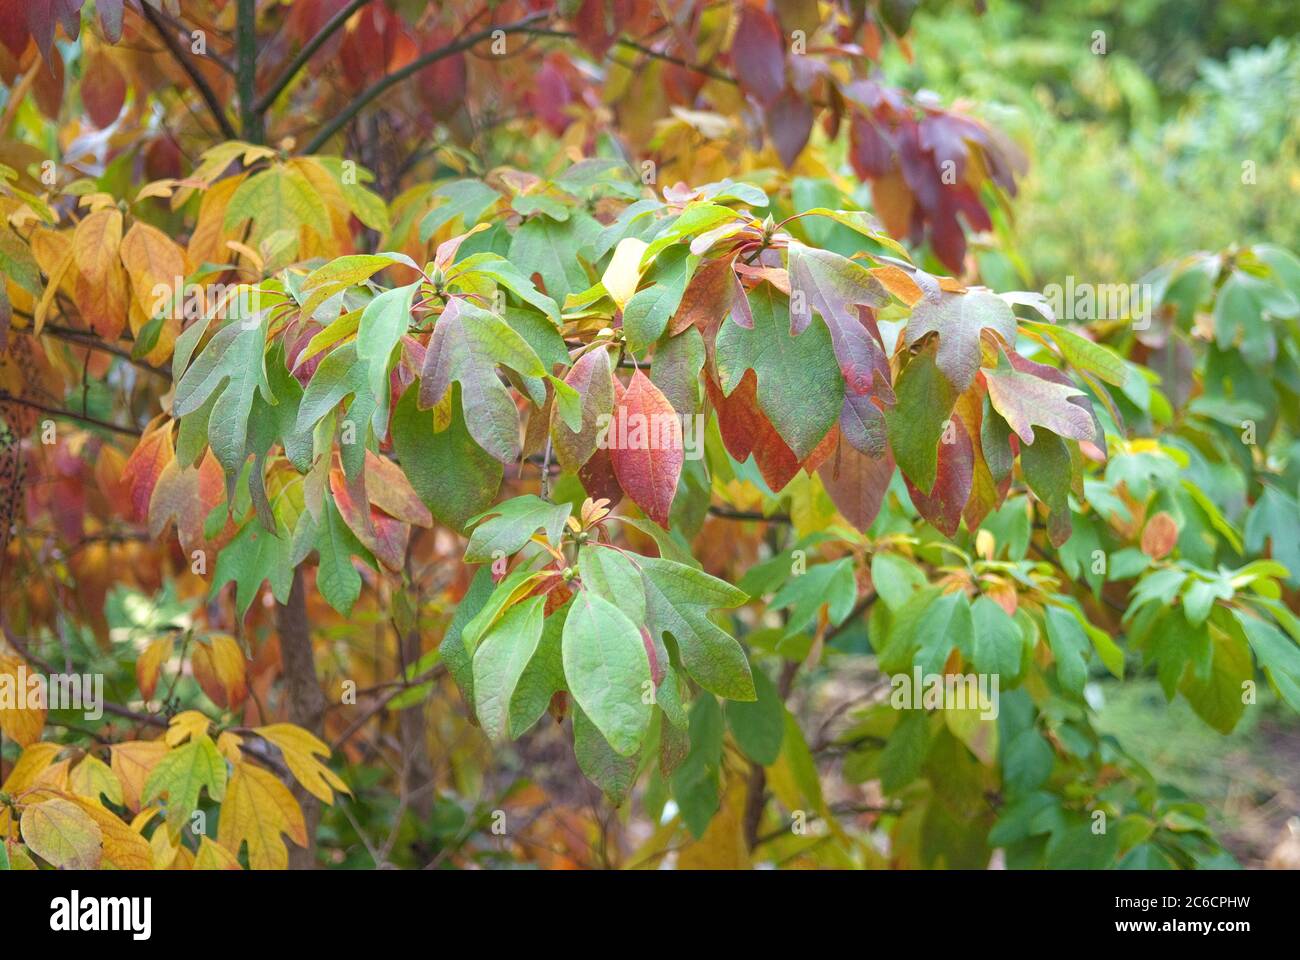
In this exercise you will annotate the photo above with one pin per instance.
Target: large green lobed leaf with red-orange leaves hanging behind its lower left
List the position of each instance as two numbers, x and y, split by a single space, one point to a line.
800 386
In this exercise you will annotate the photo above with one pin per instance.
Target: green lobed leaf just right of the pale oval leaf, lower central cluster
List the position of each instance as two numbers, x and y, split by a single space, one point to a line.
678 600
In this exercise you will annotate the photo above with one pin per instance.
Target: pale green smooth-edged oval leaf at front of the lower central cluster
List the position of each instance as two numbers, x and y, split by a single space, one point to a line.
608 671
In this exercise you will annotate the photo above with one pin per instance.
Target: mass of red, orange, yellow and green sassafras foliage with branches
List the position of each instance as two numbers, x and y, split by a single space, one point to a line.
402 405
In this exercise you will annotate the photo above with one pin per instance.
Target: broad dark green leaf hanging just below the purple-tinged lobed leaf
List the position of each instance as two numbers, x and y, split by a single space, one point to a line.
450 473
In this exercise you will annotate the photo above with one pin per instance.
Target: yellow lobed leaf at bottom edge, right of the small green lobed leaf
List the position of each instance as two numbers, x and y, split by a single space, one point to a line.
258 810
